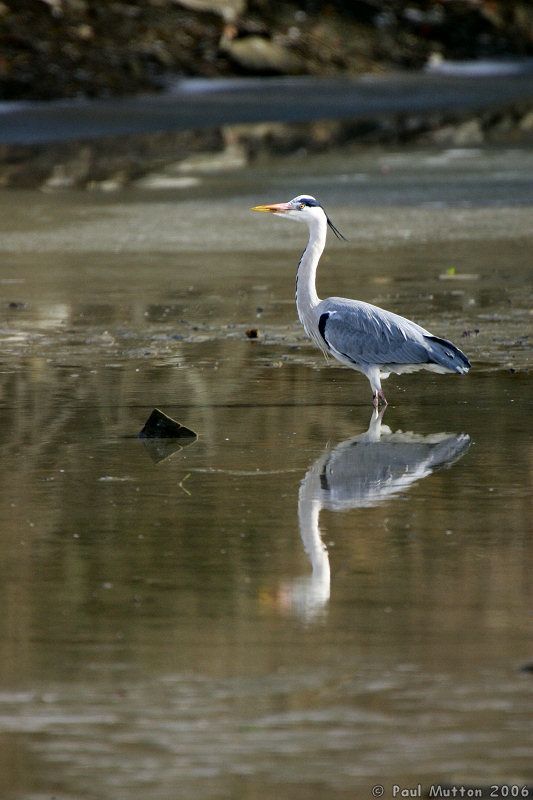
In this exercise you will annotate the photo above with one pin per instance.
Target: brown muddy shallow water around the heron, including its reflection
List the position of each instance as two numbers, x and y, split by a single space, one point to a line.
309 600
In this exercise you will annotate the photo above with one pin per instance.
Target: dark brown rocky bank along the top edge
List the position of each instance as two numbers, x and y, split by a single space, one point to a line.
67 48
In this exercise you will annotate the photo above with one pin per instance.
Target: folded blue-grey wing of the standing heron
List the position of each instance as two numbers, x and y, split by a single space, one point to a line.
366 334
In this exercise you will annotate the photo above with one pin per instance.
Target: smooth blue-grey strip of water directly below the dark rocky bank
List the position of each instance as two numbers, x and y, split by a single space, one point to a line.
193 104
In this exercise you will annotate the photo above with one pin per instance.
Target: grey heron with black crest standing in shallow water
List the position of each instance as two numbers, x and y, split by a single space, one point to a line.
360 335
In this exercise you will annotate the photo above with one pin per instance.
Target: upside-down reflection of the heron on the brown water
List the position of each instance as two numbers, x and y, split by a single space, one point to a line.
361 472
